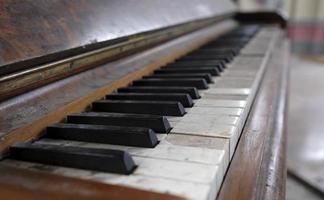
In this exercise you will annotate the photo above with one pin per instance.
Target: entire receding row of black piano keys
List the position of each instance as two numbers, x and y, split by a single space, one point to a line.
134 115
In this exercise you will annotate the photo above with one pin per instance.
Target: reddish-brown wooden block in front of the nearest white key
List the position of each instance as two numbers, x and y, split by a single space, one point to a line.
23 184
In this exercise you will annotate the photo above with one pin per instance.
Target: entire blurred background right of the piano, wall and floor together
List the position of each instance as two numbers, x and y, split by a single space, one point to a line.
305 153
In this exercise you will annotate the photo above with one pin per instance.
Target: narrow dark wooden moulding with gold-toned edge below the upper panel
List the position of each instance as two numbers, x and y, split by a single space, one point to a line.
22 81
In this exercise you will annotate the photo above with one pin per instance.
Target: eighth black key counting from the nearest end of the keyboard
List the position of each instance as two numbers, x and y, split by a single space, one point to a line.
208 78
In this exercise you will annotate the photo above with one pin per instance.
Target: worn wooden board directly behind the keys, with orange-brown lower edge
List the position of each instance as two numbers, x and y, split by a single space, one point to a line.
51 103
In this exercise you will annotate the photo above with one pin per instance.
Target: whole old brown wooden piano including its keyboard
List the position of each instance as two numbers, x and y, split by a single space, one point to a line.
141 100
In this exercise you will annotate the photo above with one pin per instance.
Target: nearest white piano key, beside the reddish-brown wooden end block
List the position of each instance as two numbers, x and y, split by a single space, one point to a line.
190 190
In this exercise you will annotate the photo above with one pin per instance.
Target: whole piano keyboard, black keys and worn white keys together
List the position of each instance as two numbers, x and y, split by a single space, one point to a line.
174 131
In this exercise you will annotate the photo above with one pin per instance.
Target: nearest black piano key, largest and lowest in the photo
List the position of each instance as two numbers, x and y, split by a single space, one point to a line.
105 160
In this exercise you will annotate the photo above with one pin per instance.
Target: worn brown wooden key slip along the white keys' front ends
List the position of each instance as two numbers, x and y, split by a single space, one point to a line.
258 169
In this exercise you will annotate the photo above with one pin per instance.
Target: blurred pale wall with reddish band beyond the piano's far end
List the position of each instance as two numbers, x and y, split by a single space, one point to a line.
306 21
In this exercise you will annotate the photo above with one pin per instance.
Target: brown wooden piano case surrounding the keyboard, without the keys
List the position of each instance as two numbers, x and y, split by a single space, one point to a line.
42 42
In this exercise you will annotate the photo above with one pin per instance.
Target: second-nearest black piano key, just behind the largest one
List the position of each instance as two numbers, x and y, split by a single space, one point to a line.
130 136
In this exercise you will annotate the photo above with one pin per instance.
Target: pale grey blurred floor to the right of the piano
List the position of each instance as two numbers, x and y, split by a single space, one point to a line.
306 128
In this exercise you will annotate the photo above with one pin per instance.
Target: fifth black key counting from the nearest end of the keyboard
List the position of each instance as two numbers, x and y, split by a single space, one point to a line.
184 99
